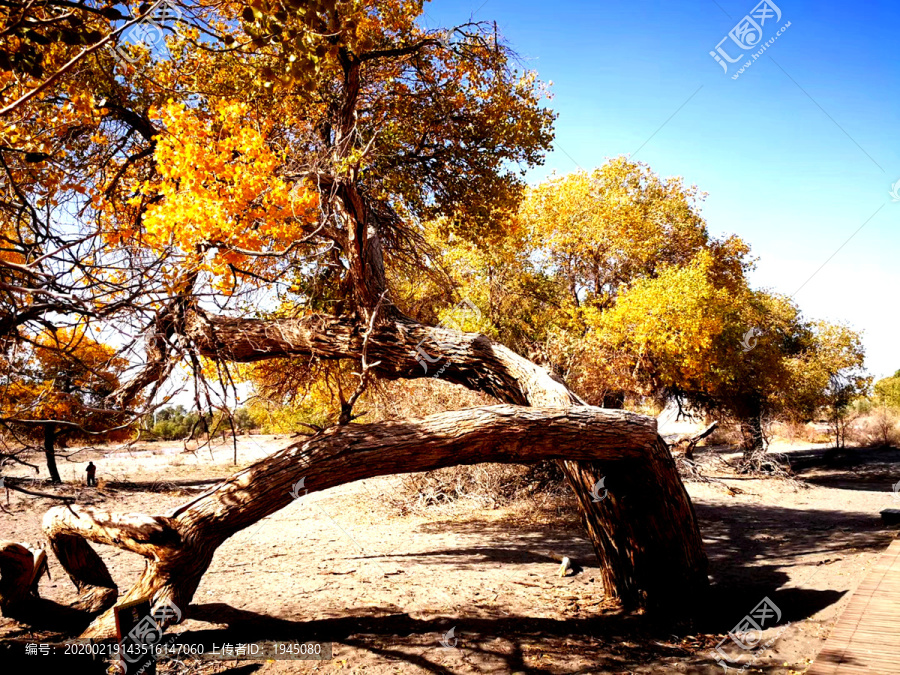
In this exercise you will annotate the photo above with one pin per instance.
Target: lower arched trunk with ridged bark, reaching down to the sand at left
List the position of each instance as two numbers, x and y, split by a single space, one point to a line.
179 545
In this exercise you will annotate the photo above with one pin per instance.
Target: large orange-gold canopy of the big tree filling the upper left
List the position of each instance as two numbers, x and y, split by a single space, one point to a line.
246 167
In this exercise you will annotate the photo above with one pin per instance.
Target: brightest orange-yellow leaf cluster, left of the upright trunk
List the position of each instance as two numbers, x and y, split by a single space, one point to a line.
219 199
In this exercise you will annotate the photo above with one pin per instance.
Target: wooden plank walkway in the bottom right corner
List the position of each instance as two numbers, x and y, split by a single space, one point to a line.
866 637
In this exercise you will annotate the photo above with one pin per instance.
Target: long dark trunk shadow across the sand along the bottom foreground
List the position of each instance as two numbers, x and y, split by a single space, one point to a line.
614 642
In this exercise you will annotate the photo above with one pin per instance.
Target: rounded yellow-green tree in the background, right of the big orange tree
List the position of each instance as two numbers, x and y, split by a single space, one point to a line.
611 279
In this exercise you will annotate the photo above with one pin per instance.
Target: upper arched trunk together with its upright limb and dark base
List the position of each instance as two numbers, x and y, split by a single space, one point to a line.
644 530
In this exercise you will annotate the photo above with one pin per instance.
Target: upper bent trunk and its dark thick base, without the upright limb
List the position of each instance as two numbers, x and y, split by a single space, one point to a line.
645 534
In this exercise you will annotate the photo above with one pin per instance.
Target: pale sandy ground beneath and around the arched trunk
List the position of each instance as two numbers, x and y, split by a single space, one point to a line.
347 567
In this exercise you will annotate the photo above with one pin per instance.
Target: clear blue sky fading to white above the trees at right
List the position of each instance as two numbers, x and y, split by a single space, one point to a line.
796 154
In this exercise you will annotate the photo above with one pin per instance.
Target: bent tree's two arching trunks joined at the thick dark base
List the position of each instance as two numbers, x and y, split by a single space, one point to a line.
644 529
